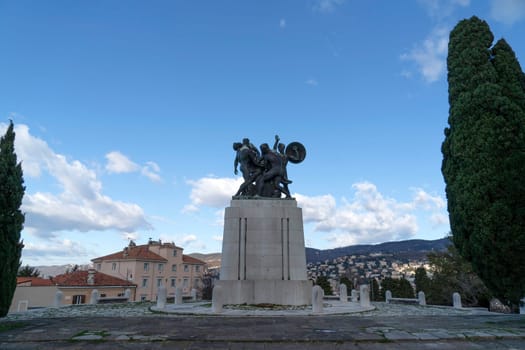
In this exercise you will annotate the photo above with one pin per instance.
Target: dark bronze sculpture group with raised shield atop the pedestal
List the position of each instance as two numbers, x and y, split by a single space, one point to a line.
264 171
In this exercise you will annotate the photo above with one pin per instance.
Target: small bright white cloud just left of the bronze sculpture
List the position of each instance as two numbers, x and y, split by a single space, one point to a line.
212 192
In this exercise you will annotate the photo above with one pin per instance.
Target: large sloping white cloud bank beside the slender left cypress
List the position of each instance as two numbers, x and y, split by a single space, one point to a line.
80 205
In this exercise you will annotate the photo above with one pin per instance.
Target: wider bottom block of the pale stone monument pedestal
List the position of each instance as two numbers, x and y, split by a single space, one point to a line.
266 292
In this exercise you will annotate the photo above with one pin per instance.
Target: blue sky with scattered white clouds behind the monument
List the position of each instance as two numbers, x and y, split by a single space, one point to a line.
126 111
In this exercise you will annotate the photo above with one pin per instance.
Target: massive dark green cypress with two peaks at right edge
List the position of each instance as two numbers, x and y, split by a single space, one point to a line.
484 157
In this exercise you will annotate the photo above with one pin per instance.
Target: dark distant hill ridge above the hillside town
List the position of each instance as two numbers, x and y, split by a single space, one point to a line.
414 248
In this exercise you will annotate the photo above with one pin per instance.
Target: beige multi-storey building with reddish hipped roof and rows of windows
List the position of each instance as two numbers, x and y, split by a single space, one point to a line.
152 265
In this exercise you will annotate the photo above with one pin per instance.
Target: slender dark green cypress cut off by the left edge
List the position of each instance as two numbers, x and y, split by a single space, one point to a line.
11 218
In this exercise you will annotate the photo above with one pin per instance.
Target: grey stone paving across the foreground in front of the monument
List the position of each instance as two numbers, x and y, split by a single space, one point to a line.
135 326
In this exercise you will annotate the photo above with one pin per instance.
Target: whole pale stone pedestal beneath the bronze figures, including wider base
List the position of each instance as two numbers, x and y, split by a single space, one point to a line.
263 254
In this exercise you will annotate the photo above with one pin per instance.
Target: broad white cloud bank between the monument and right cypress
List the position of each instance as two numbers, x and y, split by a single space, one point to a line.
369 217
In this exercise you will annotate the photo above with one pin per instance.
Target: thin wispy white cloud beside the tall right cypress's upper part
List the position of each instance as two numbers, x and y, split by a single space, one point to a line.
430 55
